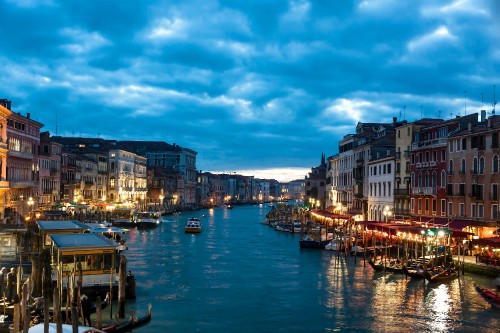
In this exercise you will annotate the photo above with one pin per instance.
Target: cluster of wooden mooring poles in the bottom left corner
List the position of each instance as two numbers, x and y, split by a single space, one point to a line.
22 310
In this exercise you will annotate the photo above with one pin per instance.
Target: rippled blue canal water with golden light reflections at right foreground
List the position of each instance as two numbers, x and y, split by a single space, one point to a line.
241 276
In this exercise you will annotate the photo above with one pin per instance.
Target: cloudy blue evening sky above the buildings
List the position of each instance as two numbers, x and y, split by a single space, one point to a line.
248 84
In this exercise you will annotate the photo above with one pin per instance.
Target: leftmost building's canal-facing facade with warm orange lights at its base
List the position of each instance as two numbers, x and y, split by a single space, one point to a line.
22 163
